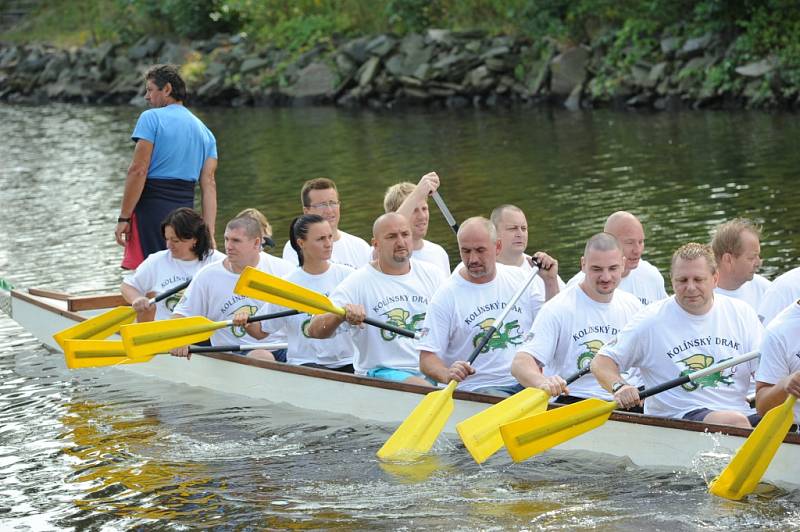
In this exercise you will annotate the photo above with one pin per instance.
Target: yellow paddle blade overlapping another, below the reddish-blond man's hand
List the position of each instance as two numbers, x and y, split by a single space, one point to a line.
532 435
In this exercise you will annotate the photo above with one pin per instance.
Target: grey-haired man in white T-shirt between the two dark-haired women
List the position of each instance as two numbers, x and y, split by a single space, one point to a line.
211 292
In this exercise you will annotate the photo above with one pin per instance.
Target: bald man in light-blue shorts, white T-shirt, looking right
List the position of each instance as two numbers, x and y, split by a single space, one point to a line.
392 287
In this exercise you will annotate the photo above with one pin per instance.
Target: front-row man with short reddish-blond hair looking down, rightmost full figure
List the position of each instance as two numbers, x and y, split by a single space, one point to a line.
690 331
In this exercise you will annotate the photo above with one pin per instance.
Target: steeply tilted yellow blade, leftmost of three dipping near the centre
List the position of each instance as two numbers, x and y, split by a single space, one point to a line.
417 433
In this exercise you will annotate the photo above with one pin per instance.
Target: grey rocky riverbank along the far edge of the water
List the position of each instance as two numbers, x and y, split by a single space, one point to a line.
438 68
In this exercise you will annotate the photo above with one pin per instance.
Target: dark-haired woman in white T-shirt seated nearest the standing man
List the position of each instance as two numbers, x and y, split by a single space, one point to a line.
189 248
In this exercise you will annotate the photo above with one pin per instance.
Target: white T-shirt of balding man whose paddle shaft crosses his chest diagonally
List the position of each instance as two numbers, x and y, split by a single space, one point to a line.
461 312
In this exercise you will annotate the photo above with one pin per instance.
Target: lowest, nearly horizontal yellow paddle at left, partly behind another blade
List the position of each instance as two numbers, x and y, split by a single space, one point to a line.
98 353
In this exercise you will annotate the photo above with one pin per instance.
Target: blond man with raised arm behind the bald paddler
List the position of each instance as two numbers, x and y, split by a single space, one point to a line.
412 202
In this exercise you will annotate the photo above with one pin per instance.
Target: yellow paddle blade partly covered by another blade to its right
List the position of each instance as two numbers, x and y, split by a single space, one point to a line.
481 432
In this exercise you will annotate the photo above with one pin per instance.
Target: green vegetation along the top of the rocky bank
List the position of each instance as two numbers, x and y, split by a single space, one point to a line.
625 33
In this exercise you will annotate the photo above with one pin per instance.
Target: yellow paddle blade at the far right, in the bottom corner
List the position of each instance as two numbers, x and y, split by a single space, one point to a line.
752 459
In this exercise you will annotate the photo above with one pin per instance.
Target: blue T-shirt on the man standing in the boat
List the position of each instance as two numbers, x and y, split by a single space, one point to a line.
181 142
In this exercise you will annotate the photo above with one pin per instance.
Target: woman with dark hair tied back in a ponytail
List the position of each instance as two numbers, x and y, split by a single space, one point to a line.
311 237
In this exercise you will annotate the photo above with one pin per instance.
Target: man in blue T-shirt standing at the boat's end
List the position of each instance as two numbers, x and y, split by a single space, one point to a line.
174 150
